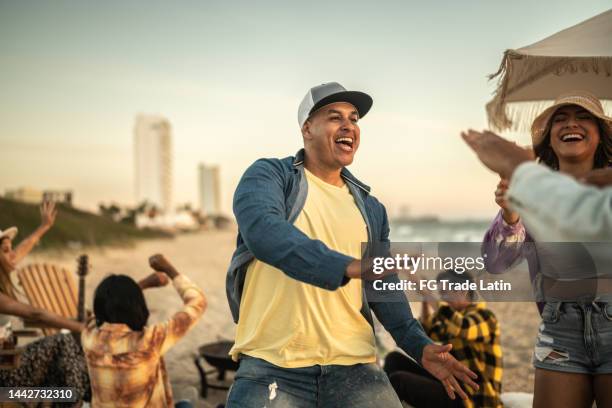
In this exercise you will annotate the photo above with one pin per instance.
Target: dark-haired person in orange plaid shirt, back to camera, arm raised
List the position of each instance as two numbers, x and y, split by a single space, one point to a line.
124 355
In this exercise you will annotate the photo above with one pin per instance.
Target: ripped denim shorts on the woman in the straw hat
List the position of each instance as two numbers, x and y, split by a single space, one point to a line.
575 337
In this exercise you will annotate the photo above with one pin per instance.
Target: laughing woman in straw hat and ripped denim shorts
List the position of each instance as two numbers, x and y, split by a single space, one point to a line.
573 352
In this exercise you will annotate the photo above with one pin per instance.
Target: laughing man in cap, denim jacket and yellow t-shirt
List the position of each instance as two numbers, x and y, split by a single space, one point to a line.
305 333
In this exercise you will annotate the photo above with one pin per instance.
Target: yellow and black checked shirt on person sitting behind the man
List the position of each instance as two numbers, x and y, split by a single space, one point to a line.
475 336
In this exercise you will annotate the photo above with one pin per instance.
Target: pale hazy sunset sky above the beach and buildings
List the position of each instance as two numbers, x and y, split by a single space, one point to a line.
229 76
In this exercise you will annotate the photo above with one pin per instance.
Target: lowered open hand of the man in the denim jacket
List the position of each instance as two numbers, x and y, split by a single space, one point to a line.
442 365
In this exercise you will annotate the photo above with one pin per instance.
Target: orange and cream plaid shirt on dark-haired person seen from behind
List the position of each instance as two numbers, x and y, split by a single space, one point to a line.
126 367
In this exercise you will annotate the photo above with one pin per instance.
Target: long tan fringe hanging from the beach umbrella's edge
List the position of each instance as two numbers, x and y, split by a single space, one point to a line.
500 117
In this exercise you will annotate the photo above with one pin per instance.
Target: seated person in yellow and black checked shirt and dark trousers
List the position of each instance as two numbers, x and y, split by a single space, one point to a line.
473 331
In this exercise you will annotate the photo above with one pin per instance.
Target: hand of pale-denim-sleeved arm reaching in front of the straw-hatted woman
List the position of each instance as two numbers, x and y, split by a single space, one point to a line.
497 153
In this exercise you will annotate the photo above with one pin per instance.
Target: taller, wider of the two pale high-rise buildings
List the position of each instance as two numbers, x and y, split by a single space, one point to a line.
153 161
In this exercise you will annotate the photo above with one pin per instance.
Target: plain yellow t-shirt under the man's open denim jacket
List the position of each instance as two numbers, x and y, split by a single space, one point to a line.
294 324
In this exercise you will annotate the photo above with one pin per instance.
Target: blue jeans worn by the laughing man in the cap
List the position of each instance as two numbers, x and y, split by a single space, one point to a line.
260 384
